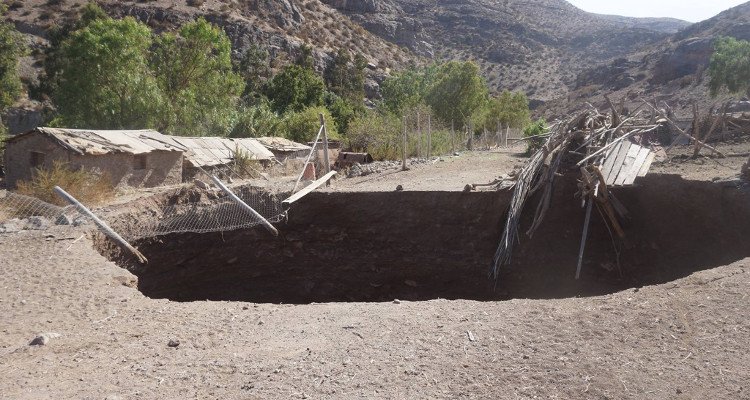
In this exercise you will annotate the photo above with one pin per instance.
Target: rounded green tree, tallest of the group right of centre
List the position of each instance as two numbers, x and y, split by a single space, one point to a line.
458 91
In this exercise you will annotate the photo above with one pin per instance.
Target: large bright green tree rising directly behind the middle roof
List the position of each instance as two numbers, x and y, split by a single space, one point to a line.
194 72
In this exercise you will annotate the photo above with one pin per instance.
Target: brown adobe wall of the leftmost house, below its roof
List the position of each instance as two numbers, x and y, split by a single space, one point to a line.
125 170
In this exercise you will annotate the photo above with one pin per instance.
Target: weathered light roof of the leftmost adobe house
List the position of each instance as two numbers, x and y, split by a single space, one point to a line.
97 142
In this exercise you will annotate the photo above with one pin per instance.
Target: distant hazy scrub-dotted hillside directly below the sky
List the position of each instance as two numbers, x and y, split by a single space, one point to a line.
538 46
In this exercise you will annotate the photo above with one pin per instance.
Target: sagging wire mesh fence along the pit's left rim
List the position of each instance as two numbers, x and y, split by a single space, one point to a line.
189 209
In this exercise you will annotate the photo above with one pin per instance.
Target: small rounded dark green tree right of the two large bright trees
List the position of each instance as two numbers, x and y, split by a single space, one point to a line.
295 88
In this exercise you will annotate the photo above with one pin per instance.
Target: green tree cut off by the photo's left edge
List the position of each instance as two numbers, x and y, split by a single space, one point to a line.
11 49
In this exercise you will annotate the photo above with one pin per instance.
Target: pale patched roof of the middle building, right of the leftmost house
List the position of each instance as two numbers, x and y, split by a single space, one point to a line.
212 151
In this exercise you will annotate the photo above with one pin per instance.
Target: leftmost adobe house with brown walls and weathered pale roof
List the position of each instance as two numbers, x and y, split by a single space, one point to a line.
132 158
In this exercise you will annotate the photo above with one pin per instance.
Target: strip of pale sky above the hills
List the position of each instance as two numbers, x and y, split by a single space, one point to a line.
688 10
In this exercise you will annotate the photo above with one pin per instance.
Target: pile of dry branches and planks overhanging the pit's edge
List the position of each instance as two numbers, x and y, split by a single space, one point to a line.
600 146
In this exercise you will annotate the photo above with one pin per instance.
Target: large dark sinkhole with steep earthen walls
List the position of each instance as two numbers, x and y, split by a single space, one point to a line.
426 245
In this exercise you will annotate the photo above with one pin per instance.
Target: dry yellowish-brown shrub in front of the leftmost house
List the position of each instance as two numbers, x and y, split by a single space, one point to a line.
89 187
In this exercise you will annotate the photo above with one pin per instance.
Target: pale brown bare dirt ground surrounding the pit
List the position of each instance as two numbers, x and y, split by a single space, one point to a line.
684 339
